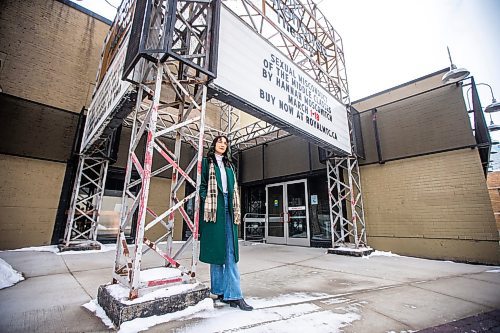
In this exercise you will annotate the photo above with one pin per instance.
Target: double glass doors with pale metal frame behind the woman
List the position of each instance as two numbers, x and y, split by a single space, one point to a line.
287 213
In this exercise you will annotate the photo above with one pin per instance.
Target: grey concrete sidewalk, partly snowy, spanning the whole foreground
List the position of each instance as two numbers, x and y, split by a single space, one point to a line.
291 288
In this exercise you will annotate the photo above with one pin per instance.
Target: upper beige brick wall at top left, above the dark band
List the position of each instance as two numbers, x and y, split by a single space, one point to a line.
52 52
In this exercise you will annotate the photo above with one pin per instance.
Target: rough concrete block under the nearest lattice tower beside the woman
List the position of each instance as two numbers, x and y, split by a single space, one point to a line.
121 310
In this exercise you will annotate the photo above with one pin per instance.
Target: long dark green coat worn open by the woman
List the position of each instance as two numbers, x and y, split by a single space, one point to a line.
213 235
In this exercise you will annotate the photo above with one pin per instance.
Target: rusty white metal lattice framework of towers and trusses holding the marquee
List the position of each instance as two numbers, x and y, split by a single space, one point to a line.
168 65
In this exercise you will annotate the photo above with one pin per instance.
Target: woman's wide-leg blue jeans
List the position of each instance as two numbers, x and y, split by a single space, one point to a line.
225 279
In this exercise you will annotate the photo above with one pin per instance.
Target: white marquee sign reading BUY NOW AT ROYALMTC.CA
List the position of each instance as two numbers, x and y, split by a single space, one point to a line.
264 82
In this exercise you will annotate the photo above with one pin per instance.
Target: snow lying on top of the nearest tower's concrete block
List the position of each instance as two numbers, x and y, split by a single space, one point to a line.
121 293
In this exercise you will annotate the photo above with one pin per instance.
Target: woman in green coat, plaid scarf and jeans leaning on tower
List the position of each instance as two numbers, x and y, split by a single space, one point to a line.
220 208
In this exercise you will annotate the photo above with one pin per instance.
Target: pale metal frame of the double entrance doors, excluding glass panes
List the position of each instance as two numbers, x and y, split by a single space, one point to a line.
285 240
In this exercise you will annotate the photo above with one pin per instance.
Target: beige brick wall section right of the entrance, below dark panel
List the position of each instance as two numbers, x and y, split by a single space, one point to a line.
427 200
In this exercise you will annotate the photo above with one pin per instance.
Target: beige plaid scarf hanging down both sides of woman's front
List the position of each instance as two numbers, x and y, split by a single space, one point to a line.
210 212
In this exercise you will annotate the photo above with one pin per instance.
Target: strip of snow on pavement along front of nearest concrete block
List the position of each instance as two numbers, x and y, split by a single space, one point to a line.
142 324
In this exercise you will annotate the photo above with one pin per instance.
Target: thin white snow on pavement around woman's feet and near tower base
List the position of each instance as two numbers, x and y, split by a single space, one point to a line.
285 313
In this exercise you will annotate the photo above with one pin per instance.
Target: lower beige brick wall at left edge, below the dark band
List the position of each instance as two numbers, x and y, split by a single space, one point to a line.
29 197
